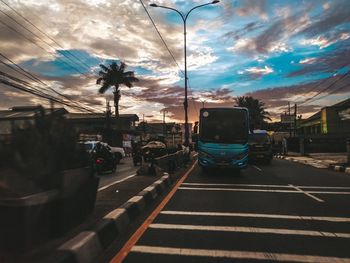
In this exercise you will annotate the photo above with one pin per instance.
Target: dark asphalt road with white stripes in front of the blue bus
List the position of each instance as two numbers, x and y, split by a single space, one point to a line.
283 212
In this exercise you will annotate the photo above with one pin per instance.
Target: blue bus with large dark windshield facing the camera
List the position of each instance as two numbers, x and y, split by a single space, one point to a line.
223 138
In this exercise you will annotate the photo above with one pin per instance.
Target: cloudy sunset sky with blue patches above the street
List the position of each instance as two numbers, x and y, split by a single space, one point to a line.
276 51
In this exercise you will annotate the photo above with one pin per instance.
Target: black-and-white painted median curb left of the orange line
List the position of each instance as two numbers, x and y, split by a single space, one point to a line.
88 245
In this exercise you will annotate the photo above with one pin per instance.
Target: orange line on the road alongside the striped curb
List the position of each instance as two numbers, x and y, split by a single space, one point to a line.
141 230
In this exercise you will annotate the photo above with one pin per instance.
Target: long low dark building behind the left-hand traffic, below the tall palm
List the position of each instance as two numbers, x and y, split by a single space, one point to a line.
87 125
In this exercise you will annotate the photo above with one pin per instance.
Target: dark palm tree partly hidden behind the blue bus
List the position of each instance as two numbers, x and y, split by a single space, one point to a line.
257 113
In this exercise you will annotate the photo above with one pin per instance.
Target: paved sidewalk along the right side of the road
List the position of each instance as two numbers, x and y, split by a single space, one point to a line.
334 161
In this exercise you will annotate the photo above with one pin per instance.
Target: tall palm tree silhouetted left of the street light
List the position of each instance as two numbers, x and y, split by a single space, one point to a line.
113 76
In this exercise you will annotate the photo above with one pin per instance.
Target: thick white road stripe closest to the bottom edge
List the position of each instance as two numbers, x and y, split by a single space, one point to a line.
232 254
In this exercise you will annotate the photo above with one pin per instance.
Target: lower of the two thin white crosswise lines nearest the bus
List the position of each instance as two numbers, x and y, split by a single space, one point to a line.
259 190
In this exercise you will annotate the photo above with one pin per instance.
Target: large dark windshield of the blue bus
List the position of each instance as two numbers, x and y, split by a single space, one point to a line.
223 126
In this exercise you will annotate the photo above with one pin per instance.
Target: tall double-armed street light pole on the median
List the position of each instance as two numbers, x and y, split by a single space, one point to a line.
184 19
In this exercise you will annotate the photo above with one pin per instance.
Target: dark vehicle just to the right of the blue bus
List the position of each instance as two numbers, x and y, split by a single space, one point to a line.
260 147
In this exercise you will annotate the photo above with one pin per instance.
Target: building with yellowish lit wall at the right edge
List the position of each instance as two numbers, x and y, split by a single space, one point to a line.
331 120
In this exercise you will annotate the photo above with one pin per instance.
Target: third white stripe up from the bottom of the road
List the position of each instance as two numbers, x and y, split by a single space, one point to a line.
225 214
